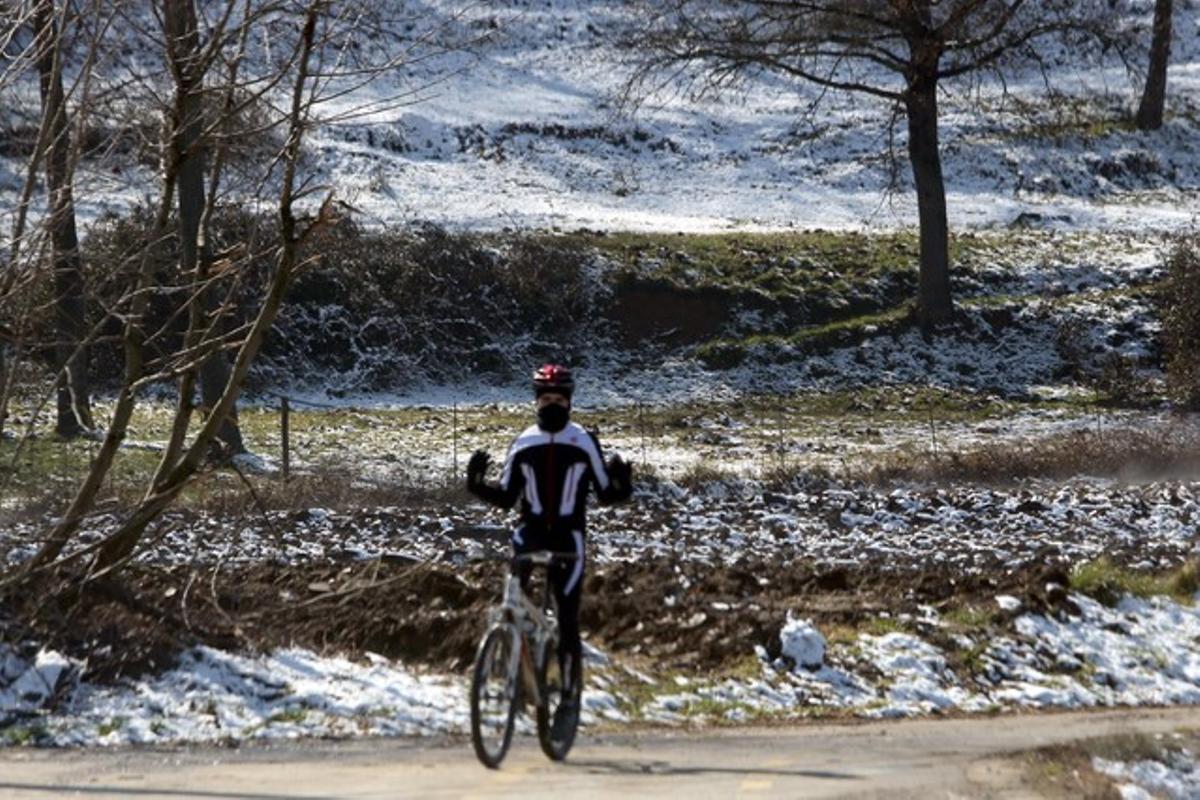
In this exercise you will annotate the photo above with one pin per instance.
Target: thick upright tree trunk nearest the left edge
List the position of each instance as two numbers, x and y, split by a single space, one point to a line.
70 348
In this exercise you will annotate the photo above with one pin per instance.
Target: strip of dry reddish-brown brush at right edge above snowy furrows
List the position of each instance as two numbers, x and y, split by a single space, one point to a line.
1169 450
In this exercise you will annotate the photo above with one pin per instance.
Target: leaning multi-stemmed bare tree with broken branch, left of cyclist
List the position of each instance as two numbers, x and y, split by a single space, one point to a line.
316 56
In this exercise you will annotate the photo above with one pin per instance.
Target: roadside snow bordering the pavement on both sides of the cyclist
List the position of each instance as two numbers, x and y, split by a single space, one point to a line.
1143 652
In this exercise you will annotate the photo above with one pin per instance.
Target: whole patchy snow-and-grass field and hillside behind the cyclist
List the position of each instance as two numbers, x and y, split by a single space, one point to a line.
832 521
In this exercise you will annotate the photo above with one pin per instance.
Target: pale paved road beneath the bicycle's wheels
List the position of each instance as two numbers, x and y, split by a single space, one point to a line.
922 759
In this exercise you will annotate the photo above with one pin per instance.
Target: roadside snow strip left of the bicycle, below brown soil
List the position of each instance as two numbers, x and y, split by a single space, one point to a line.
218 696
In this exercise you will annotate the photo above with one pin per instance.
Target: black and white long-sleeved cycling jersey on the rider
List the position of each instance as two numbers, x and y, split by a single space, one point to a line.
553 474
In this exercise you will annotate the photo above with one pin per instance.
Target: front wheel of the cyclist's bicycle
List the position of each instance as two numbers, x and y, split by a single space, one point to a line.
494 696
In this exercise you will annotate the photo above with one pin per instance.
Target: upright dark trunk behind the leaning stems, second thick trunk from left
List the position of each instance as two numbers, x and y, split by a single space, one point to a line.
196 254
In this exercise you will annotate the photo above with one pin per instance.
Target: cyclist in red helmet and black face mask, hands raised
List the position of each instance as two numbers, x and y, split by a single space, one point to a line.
551 467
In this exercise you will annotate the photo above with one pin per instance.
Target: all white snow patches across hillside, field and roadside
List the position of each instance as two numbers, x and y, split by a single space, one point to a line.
525 136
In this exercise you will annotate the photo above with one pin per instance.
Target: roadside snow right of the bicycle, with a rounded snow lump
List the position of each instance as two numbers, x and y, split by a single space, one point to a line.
1144 652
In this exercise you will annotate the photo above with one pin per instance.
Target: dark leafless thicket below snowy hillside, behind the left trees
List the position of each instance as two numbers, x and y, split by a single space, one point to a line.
375 308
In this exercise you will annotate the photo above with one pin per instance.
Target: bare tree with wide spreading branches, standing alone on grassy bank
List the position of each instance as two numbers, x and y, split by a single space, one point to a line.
899 51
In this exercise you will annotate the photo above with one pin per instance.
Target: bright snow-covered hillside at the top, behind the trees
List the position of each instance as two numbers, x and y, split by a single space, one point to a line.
525 130
